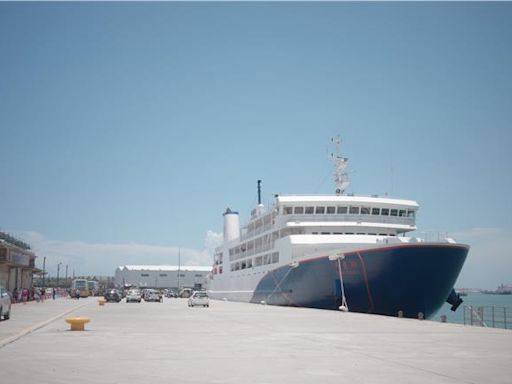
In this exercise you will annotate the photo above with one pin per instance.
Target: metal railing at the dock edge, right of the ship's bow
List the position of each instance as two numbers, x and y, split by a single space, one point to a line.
488 316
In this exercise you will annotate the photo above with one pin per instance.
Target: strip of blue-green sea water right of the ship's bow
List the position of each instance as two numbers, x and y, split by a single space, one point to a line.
476 300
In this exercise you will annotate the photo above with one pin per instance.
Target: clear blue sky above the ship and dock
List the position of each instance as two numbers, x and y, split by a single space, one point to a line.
133 123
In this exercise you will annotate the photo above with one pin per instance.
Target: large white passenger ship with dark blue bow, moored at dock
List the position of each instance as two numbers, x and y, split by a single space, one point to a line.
341 252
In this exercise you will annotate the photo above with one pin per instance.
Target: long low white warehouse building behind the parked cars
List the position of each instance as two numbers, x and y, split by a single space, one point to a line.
162 276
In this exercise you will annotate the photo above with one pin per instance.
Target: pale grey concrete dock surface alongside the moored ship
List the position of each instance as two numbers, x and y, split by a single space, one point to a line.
241 343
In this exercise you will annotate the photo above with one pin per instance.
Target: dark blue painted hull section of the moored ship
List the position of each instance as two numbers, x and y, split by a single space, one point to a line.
408 278
